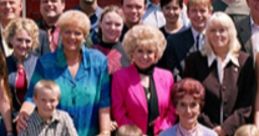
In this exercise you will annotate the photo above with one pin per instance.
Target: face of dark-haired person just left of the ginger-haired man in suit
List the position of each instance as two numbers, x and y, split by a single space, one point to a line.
171 12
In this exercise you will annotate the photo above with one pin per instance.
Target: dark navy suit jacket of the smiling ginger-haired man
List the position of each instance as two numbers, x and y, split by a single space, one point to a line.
177 49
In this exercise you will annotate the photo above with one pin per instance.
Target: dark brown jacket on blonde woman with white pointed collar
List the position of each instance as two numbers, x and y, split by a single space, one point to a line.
233 98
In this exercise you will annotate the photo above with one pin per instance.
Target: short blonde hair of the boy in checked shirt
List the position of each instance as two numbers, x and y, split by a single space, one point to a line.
46 84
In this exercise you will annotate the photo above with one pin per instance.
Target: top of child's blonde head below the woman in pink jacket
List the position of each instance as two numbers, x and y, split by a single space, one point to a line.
129 130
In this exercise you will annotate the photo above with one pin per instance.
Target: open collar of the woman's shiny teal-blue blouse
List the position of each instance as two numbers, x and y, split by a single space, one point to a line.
61 59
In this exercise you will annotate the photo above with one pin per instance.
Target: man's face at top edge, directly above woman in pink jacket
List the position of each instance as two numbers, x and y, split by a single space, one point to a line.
133 11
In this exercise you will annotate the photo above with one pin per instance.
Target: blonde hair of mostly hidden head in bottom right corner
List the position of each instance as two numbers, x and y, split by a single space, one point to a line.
247 130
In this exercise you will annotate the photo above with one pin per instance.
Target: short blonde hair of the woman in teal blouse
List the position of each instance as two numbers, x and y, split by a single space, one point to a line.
74 18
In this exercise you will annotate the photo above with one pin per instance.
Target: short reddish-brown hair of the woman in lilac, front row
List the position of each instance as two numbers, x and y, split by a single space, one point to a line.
188 86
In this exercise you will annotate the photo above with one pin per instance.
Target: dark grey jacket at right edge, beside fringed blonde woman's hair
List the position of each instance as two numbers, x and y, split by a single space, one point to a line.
244 32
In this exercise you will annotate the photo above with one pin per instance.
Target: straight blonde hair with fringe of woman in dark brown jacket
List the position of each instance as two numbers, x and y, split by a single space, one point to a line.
226 22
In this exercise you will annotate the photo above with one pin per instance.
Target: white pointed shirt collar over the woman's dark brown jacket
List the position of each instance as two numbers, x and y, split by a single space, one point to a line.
229 58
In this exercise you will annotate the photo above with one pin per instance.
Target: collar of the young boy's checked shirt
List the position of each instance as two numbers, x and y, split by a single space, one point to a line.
39 121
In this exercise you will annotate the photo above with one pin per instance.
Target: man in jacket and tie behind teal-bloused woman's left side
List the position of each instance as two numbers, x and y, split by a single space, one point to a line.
49 35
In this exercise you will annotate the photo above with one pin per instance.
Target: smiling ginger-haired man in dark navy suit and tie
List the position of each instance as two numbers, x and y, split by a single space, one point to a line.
181 44
